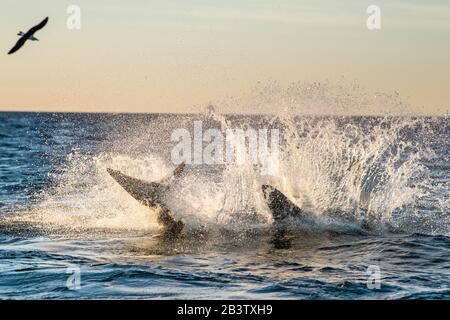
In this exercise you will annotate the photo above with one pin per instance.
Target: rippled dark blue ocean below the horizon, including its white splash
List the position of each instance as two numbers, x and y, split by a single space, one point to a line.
377 189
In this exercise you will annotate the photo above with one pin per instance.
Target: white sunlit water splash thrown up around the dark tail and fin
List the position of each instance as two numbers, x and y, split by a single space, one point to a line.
374 172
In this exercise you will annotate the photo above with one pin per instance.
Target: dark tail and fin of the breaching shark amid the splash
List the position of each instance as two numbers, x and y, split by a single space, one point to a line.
151 194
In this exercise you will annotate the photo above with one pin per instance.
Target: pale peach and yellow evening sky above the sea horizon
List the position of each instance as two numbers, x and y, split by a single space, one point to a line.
170 55
